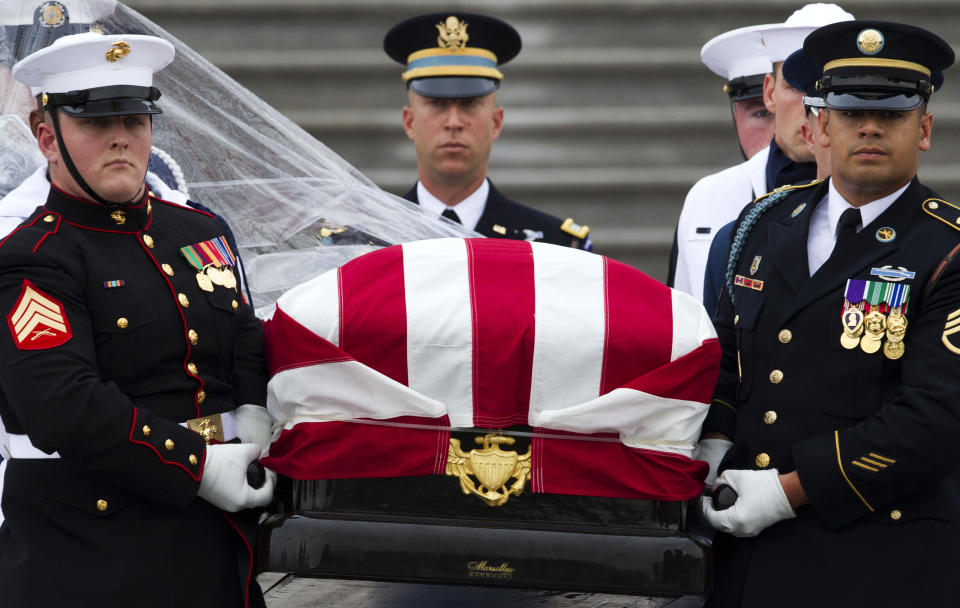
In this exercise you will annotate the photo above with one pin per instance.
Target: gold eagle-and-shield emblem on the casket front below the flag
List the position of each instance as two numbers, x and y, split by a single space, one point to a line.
491 466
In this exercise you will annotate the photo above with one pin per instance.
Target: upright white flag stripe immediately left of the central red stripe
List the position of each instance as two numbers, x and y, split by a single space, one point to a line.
440 324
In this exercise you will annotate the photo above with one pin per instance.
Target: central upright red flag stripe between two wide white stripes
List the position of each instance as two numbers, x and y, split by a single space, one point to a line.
502 299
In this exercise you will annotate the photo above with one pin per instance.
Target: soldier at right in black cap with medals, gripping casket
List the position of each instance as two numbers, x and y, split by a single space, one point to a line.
838 385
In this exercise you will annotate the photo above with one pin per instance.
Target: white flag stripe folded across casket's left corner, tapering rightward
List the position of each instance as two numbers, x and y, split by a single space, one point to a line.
343 390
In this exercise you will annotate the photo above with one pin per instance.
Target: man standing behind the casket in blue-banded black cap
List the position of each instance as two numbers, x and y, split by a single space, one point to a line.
453 118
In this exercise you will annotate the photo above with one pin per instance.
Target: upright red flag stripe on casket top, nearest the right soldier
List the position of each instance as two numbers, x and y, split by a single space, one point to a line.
639 329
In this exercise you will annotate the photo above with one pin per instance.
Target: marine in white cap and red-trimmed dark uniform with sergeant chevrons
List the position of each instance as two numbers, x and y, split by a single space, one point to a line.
132 368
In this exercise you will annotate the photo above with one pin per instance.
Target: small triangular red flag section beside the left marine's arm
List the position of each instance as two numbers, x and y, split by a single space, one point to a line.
288 344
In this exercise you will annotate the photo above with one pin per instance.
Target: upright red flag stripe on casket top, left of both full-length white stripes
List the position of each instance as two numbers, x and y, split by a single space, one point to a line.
373 304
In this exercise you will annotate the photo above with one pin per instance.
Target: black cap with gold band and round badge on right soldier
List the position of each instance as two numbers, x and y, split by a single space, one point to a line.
877 65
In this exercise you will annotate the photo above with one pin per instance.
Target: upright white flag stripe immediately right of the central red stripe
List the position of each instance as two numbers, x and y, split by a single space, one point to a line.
570 327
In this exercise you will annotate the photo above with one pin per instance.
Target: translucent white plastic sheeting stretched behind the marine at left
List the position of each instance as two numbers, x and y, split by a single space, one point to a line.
295 207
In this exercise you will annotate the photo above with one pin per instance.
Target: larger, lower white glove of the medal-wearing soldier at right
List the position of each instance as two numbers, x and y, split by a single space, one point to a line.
760 504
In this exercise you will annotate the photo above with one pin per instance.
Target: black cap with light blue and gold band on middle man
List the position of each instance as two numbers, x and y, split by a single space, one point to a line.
452 54
